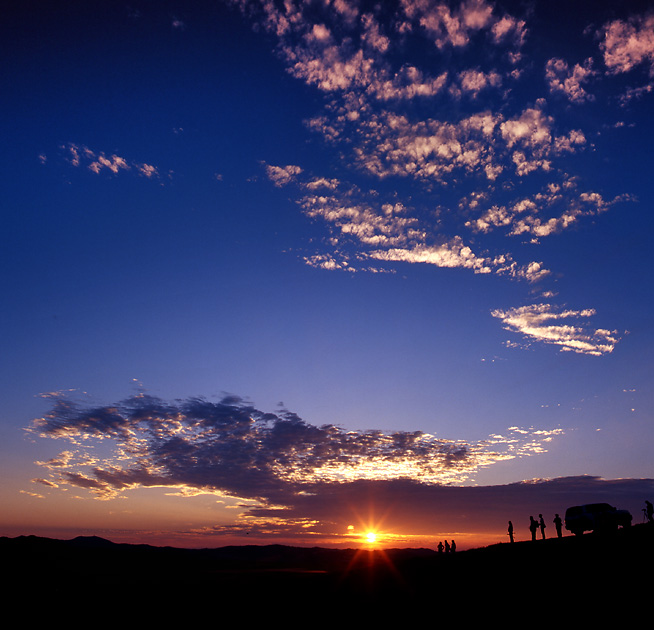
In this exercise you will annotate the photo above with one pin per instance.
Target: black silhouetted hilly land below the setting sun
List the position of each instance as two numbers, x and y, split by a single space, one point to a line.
92 581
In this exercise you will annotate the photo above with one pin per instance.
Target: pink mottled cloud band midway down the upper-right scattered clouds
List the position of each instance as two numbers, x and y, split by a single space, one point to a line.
430 150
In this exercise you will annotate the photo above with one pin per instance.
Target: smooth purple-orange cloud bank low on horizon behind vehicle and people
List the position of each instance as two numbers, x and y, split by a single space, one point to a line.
404 505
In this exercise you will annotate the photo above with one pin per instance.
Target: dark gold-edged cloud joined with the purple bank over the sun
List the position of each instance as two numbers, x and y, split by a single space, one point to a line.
297 479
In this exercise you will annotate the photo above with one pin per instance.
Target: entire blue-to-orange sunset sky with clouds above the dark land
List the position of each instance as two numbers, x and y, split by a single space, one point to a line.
290 272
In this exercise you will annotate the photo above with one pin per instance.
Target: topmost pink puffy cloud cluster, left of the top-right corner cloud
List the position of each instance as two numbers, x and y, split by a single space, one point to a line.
341 50
